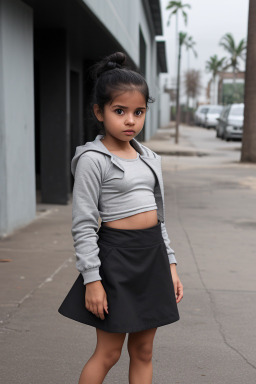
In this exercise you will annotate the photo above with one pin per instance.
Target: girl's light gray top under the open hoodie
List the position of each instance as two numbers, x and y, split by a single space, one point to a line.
132 194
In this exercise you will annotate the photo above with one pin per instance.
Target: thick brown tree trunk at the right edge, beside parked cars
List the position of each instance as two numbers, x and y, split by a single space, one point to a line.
249 135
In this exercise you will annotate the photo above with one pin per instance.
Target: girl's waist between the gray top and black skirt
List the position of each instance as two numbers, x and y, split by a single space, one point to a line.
139 221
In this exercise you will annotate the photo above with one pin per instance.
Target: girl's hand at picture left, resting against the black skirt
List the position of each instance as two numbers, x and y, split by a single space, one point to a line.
96 299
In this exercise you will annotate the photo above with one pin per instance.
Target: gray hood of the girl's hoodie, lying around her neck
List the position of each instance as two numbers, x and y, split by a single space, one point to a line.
98 146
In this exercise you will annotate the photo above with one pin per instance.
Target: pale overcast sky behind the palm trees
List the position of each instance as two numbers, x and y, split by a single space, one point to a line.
208 21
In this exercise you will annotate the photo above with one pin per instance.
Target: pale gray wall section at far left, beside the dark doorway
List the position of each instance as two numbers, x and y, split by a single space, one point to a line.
17 173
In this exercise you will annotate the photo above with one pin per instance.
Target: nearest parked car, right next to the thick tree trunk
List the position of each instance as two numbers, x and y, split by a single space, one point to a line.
231 120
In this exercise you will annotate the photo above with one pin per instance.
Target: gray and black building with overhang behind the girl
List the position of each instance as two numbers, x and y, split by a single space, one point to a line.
46 48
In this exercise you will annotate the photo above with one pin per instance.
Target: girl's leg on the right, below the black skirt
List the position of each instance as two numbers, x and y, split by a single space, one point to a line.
140 347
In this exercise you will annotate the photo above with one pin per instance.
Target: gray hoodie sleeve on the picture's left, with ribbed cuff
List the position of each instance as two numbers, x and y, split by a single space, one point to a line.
85 217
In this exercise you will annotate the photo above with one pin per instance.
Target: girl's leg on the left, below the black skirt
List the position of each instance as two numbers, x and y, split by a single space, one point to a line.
106 354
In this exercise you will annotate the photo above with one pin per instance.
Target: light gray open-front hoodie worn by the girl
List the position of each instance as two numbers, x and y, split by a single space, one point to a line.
88 167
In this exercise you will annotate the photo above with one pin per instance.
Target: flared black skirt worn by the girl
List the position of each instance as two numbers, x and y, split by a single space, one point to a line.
136 276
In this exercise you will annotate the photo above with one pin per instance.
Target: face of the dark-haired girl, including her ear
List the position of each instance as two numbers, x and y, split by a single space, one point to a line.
124 116
